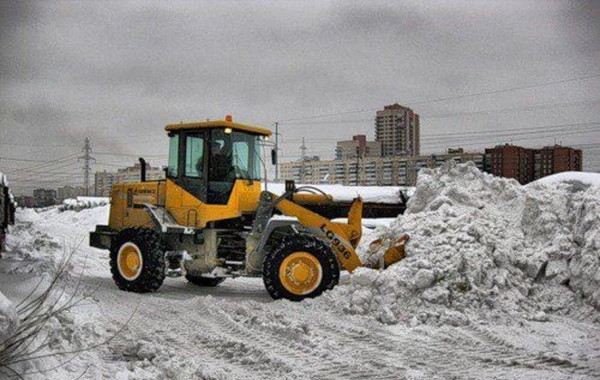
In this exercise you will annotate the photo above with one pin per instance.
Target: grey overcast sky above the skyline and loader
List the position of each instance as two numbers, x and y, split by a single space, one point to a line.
117 72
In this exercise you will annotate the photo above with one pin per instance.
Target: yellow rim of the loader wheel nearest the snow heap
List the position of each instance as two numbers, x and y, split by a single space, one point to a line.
300 273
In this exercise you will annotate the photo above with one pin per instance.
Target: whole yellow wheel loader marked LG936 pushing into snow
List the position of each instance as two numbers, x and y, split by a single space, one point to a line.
209 219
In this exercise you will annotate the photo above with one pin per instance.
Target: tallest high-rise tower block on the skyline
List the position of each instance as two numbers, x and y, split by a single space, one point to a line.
398 130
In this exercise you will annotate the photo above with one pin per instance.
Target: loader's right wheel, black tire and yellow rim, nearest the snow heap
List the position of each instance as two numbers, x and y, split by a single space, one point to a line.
299 267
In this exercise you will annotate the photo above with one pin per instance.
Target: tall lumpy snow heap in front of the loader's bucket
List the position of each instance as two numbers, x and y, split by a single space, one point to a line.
483 246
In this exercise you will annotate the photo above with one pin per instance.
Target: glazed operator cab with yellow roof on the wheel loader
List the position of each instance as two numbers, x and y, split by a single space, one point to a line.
206 159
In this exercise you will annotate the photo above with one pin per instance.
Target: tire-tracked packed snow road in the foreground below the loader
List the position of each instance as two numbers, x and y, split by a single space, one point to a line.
237 333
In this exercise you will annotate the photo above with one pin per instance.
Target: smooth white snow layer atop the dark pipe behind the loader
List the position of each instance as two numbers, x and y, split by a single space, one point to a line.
371 194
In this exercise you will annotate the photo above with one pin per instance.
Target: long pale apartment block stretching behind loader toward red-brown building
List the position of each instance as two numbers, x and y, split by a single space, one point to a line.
373 171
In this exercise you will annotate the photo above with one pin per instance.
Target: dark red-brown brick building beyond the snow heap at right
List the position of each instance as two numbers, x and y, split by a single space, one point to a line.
526 165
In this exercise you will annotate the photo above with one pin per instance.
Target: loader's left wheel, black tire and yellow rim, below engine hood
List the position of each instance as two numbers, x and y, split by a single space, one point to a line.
137 260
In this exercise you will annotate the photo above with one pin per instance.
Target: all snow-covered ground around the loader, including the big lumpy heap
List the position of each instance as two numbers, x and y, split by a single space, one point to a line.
501 282
